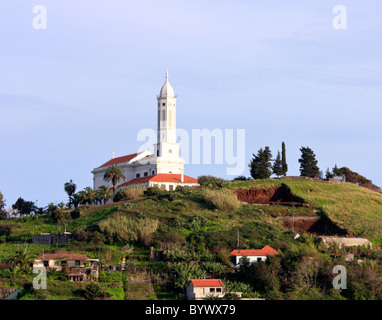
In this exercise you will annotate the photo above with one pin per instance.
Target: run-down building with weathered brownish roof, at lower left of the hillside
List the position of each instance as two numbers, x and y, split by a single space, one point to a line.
77 266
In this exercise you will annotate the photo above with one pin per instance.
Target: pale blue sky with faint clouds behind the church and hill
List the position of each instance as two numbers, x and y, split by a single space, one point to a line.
82 88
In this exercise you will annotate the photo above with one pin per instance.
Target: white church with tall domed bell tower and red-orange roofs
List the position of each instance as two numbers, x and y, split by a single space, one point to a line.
164 168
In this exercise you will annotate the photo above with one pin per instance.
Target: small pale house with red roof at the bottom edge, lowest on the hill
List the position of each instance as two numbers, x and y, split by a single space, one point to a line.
199 289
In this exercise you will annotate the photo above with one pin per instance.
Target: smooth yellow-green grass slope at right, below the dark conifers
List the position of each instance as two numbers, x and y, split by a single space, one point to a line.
354 208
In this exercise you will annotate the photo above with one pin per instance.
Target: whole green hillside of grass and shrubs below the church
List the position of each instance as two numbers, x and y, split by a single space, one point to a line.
199 227
